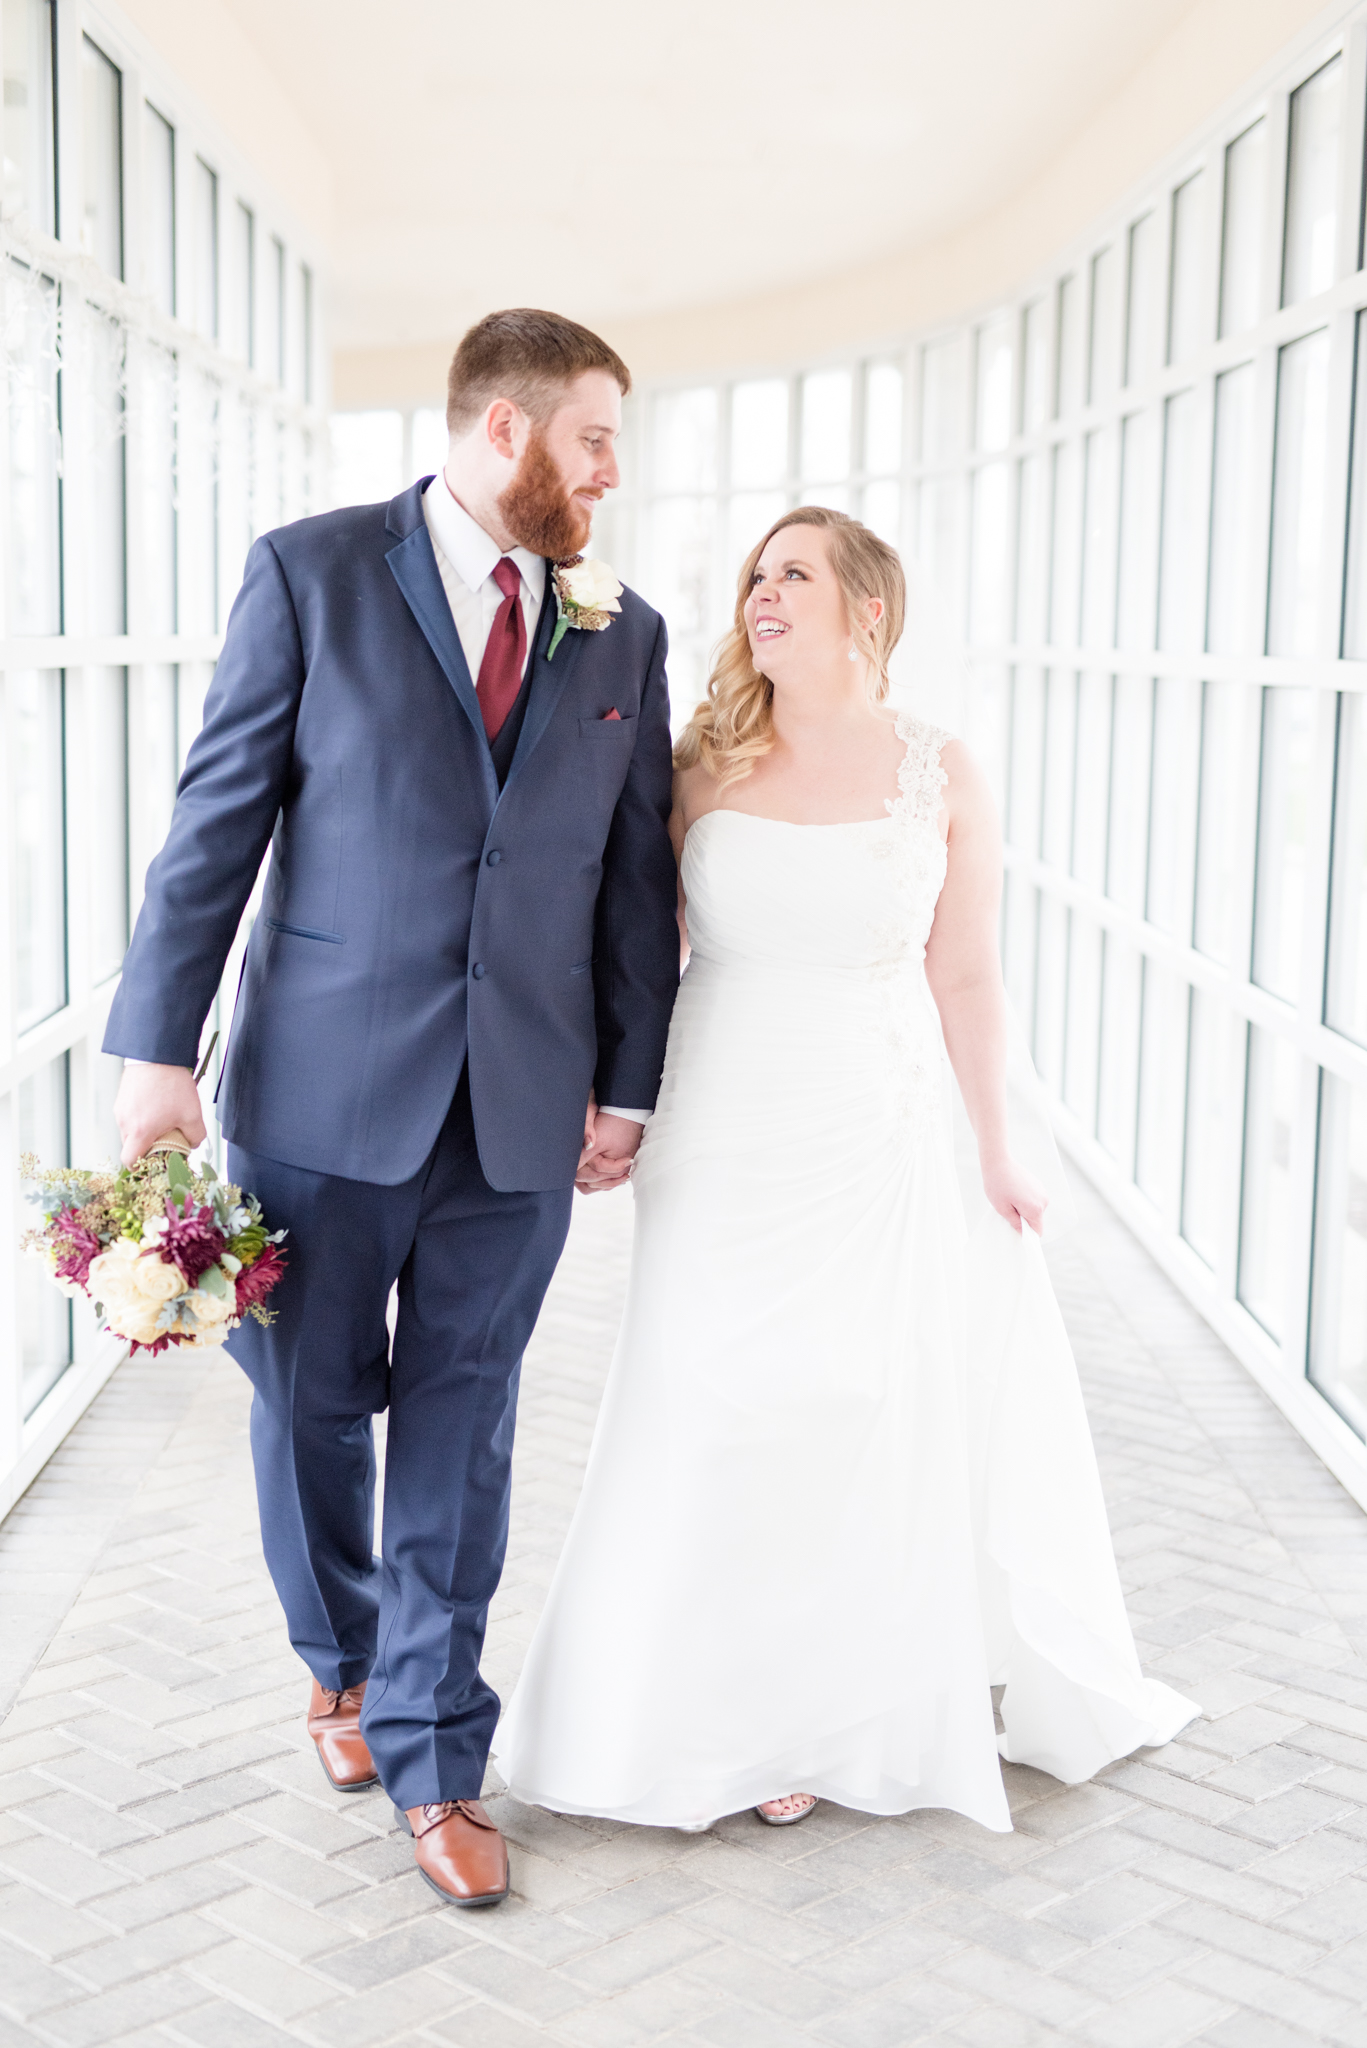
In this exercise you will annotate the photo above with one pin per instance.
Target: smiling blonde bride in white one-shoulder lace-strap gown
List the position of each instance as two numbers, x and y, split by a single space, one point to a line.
841 1484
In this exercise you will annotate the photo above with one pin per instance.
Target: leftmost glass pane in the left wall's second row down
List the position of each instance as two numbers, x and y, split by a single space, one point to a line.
34 583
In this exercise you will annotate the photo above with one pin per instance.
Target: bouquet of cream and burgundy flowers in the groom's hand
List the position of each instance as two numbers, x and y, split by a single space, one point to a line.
167 1254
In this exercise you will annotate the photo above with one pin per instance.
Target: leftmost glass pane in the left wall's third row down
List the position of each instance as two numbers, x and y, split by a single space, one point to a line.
36 703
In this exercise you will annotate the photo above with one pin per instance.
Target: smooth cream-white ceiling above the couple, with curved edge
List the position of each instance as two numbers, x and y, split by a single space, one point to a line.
624 159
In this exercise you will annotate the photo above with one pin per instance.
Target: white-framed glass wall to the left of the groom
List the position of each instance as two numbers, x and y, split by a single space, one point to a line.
161 376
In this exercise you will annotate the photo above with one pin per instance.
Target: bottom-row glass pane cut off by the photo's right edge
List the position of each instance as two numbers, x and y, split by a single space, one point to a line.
1339 1293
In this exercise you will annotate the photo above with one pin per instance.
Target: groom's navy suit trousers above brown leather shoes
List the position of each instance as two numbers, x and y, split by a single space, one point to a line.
472 1269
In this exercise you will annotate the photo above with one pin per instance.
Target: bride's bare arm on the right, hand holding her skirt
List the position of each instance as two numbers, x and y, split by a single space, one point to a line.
966 980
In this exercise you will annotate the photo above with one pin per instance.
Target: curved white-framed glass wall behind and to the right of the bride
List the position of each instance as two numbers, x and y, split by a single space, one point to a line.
1141 495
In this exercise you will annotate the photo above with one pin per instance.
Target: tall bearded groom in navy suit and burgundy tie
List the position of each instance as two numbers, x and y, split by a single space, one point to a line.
466 937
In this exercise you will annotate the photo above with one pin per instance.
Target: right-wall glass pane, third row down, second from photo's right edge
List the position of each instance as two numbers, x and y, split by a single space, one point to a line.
1284 802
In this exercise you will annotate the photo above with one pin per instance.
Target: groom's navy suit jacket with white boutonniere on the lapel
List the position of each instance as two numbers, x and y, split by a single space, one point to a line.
415 914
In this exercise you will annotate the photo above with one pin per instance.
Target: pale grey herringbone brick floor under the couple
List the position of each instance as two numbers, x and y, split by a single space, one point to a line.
175 1869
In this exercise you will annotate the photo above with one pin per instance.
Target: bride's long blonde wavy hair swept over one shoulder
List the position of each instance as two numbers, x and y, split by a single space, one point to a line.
733 728
